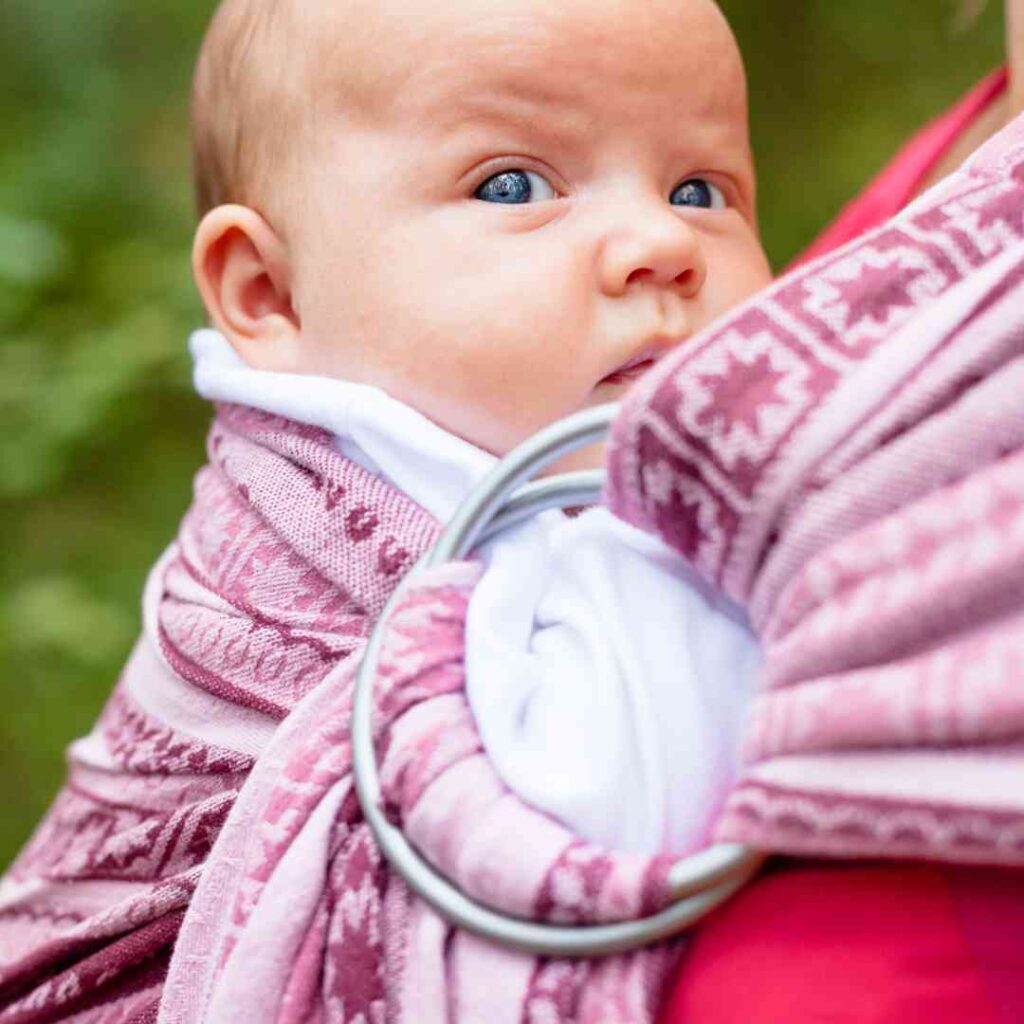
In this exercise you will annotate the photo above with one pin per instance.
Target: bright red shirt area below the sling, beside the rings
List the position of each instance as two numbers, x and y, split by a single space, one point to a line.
817 944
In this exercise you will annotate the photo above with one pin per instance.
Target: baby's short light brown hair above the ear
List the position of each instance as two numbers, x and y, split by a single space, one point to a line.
247 101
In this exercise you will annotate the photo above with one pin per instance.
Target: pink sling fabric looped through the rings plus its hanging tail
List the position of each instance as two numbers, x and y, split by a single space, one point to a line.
297 919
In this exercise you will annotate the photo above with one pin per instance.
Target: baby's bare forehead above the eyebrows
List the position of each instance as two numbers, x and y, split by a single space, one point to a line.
578 63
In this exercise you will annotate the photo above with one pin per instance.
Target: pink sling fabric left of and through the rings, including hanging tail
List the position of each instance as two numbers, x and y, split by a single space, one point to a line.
212 808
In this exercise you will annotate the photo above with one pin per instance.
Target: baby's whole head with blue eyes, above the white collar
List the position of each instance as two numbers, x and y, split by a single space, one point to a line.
498 212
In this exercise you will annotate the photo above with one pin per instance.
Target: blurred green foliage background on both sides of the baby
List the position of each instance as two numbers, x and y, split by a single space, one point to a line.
100 434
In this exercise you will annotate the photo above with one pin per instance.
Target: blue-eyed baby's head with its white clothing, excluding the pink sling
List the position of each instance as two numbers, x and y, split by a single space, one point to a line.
436 229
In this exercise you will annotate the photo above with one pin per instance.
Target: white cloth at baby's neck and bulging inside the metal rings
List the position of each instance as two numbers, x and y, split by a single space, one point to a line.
610 687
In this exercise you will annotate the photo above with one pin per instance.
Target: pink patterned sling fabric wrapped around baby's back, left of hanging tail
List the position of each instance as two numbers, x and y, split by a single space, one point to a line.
281 567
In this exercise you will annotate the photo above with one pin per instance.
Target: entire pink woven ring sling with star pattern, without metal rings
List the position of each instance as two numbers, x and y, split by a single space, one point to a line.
843 455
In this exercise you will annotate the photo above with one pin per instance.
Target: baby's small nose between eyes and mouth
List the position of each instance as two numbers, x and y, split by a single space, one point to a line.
655 246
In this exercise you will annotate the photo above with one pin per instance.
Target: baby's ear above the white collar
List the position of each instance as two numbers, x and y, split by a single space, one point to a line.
243 274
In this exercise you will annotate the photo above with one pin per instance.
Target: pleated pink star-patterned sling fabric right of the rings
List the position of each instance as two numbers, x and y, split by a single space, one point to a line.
846 457
